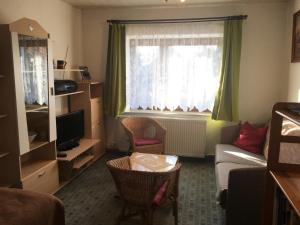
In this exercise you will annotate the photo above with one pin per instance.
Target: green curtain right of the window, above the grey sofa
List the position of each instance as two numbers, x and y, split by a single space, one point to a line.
226 101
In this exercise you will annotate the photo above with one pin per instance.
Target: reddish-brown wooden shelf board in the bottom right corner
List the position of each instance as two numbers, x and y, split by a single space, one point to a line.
289 183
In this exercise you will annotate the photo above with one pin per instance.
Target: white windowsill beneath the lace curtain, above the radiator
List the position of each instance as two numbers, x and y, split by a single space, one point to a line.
175 115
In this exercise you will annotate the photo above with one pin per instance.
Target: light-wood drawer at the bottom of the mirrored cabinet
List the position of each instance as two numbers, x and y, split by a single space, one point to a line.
44 180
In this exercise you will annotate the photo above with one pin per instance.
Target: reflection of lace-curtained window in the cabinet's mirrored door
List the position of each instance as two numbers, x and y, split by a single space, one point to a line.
33 55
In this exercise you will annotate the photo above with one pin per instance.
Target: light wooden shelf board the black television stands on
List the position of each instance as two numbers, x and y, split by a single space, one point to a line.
84 145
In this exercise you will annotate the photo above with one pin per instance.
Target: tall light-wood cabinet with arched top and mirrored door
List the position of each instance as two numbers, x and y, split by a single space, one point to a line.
22 164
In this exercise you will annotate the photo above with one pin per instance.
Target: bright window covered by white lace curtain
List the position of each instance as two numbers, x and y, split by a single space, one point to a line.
173 67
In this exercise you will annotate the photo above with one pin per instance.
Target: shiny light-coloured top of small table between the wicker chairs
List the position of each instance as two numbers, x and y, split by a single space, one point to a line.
152 162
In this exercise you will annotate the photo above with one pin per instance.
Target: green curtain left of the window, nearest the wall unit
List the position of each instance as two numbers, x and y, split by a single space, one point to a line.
115 83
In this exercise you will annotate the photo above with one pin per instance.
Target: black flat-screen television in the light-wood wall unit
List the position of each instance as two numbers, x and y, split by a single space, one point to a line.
70 128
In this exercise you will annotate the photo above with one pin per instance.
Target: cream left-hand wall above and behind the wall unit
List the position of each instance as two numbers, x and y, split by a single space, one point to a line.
61 20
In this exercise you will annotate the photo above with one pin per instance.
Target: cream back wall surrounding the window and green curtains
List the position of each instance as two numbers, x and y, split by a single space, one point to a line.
261 63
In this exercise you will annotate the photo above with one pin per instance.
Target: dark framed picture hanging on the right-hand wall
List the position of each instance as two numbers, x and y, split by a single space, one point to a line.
296 38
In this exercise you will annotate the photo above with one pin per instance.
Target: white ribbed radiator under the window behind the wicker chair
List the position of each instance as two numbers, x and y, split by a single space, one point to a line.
185 137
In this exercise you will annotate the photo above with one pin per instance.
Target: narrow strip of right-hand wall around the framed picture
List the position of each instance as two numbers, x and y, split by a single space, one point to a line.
293 75
